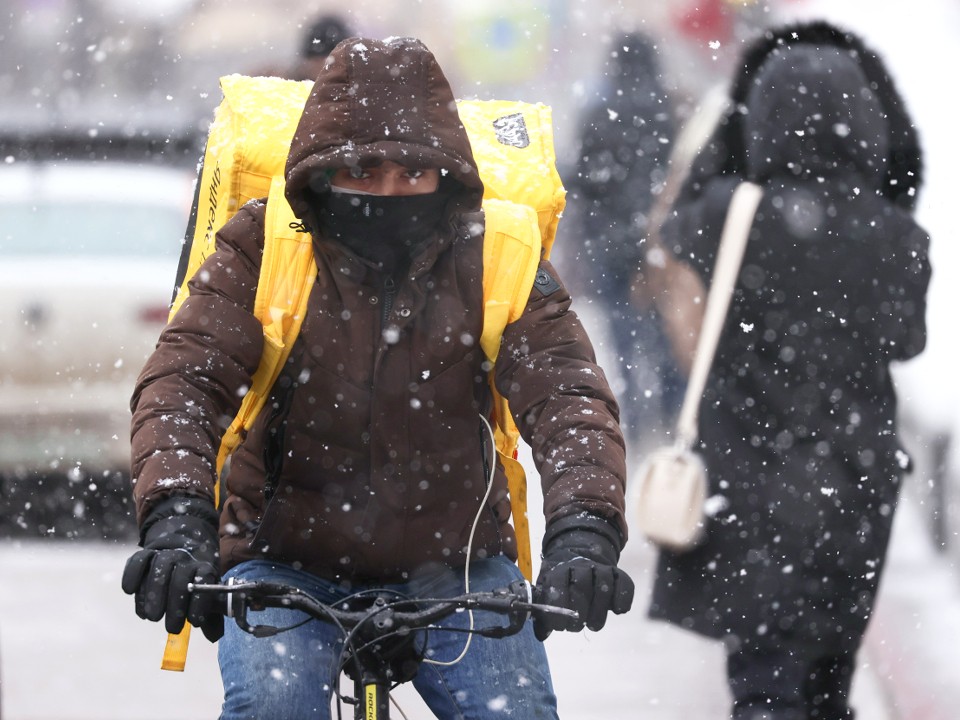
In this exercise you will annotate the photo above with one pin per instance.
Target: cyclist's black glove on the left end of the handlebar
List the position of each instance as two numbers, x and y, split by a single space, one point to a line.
181 545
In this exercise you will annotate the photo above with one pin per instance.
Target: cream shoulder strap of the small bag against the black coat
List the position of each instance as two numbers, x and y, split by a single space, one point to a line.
733 242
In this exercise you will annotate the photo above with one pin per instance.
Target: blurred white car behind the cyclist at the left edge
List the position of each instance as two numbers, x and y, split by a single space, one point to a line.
88 259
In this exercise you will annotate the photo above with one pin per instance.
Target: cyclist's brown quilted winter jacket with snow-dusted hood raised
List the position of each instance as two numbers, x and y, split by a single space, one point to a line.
371 458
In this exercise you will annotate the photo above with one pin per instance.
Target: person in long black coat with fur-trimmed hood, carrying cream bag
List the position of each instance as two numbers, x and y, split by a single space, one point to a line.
798 421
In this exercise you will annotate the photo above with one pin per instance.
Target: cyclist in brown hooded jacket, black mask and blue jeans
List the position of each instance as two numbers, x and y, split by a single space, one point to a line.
368 469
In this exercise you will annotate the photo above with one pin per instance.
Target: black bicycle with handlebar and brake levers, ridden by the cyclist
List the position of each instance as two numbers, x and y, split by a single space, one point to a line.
381 629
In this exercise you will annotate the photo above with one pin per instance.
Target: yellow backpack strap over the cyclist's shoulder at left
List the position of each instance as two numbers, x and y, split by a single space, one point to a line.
287 272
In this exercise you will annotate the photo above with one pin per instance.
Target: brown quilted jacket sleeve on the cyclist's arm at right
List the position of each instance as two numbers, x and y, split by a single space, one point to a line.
563 406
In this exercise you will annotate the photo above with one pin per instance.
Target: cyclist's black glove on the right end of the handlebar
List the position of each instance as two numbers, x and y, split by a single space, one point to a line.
579 572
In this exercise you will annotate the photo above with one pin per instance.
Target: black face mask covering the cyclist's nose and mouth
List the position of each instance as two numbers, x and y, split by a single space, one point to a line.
384 229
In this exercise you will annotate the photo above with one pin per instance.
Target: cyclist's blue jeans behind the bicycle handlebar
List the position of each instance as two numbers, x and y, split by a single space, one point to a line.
289 675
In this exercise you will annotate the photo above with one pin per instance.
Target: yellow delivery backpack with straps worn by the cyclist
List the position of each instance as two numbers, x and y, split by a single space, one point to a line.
245 158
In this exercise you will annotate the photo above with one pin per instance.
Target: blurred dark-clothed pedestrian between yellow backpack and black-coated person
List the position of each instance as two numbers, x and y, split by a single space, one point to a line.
625 143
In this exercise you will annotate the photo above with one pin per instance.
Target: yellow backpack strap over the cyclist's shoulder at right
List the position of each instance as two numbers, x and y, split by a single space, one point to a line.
511 256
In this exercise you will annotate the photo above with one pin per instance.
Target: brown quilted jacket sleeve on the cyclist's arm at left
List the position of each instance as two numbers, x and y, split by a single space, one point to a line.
192 385
